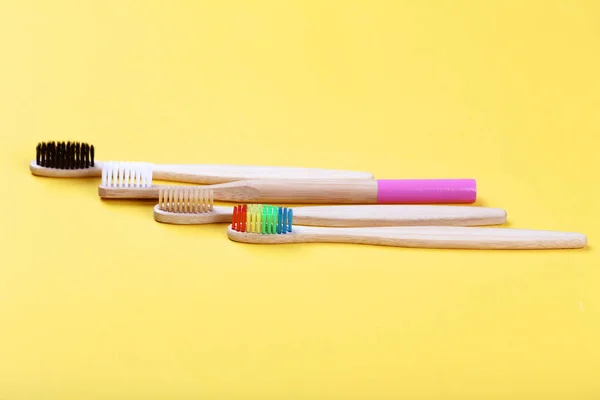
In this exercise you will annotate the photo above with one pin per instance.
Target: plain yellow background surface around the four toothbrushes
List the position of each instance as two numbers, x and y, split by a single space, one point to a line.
99 301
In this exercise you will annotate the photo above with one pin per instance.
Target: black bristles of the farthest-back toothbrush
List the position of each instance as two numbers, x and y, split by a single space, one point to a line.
64 155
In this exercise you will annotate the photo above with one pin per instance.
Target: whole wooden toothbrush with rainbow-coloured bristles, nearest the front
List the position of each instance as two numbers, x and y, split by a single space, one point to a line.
275 226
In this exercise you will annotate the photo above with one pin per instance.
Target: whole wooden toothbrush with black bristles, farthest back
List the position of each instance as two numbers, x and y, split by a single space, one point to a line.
76 160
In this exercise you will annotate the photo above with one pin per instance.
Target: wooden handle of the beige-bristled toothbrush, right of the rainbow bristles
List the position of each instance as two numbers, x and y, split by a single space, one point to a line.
398 215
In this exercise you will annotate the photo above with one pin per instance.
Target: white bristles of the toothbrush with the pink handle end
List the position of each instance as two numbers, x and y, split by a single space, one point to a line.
126 174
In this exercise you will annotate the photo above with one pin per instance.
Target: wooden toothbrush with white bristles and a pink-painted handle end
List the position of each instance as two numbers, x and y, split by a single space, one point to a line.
134 181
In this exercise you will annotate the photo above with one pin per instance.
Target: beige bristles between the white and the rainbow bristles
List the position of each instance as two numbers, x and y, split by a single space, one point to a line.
184 199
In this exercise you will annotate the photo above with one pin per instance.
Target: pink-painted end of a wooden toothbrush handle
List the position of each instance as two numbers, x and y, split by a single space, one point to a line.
426 191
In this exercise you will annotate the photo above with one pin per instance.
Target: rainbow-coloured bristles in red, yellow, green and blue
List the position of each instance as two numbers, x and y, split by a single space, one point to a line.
262 219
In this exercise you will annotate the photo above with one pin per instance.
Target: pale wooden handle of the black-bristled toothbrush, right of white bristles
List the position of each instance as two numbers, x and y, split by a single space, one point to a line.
213 174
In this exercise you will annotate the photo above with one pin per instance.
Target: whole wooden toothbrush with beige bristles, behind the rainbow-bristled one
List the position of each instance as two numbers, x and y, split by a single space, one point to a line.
182 205
